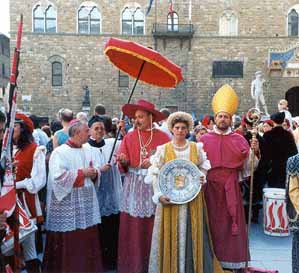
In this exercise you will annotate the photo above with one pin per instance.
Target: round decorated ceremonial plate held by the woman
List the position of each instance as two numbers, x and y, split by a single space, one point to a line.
179 180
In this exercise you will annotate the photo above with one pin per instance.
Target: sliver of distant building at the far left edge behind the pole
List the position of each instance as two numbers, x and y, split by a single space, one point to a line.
4 61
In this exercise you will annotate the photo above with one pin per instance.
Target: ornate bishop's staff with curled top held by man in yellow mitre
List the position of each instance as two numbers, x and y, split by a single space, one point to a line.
254 116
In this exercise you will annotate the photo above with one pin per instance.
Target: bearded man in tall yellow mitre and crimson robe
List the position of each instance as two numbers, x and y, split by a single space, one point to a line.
228 153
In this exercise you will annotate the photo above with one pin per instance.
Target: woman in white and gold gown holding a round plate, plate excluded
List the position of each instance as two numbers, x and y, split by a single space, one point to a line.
181 241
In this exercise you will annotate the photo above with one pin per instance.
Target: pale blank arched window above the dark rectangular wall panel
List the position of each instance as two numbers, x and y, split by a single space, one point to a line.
228 24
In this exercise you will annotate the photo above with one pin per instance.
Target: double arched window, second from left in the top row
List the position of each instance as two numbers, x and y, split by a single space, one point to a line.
89 20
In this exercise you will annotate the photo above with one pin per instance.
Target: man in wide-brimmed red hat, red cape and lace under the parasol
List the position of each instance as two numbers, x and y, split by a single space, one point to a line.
137 208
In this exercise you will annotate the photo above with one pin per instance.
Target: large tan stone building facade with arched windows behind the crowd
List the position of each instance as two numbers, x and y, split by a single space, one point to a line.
214 41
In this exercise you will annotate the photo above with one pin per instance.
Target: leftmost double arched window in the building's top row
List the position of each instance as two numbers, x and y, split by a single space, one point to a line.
44 18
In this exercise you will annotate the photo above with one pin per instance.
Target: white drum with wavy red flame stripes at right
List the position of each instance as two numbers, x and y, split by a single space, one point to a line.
275 215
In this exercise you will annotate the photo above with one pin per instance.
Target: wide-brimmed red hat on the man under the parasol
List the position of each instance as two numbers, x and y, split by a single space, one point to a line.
130 109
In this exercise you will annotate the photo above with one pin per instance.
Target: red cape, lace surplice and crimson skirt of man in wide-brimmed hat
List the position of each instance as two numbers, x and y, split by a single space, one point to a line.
137 207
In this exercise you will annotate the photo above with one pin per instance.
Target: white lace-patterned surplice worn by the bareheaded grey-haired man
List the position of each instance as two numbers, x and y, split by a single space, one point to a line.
70 208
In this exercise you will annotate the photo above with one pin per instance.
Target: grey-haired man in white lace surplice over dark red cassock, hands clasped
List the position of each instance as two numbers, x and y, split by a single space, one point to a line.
73 214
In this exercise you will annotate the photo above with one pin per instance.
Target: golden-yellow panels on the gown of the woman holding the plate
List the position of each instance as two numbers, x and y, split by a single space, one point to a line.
168 252
